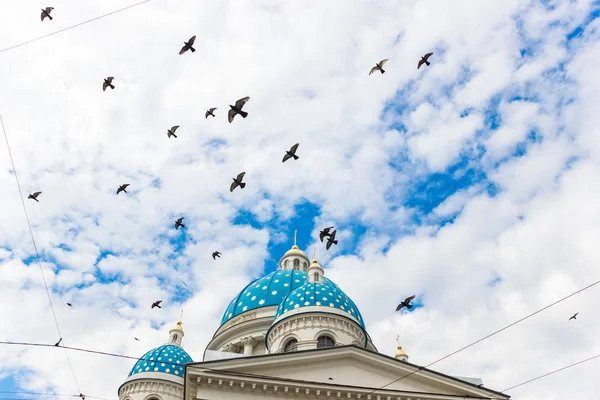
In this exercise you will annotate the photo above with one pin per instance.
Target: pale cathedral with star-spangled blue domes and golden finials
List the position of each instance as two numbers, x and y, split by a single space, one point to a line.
291 334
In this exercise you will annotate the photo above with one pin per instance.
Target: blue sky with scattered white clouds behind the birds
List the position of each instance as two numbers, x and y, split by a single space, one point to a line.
472 183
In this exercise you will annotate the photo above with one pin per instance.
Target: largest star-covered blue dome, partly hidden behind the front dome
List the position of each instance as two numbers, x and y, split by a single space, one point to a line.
264 292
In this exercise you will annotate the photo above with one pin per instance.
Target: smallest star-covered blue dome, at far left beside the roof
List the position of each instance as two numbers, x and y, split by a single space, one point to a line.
167 359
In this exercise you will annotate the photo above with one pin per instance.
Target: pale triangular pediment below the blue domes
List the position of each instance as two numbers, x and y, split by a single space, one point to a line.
345 366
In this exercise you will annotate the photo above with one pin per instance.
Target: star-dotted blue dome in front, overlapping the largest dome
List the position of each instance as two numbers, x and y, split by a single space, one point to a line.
324 294
